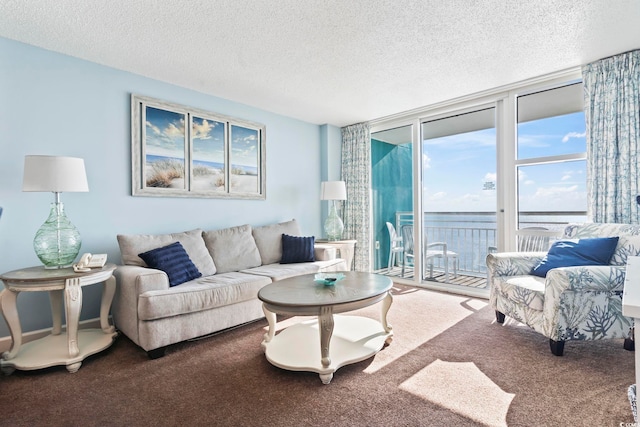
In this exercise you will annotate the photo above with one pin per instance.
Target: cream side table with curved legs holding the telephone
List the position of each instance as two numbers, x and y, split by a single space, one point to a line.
68 347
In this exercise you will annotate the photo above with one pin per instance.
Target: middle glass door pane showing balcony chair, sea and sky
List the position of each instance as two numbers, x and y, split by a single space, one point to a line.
459 187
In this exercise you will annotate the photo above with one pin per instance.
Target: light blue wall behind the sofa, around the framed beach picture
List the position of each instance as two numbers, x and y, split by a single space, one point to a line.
59 105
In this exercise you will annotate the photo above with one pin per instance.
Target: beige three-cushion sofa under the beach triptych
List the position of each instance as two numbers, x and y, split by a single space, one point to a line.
234 263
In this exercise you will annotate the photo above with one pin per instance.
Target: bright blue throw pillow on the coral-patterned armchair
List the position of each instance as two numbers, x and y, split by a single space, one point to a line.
570 253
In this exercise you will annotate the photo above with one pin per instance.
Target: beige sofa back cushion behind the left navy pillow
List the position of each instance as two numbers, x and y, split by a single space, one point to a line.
192 242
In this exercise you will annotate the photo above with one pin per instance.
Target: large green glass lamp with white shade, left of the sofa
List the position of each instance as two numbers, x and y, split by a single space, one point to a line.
57 242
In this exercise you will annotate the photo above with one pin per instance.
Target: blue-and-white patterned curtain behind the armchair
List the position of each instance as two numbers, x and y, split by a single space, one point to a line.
612 114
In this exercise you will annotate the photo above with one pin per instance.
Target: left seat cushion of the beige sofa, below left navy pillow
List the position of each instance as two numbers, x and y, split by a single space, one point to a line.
200 294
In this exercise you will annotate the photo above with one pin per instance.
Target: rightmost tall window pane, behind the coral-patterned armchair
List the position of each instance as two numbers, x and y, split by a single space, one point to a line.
551 159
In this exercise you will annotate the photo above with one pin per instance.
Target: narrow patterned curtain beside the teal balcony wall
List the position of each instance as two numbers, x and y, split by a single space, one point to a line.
356 173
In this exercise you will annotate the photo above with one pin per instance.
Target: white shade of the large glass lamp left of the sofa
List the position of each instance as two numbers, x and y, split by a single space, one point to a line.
55 174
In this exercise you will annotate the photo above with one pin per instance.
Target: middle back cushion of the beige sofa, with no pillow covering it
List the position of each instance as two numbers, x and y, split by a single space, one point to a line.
232 249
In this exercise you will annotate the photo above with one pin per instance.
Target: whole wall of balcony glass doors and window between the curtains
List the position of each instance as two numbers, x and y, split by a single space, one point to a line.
482 174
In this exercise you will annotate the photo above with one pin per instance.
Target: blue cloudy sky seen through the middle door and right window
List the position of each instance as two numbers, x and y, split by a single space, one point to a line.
458 170
